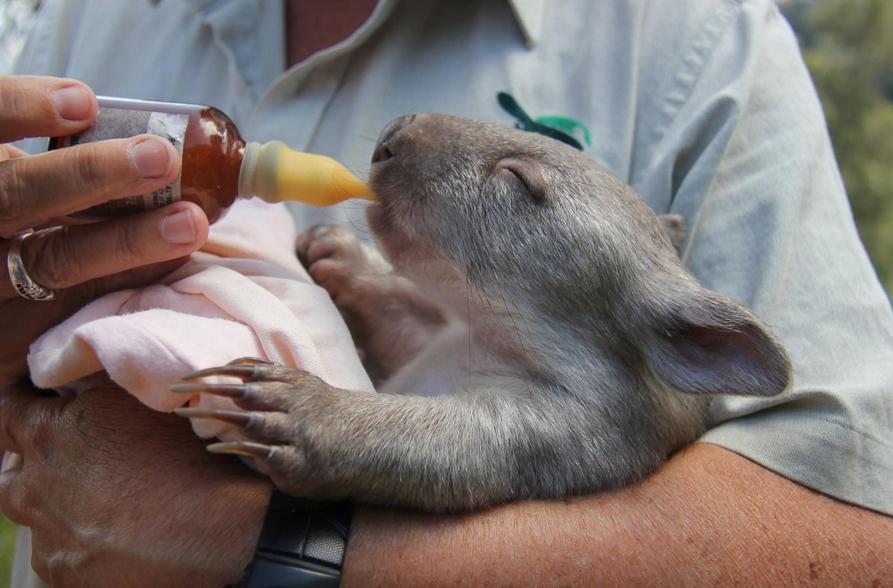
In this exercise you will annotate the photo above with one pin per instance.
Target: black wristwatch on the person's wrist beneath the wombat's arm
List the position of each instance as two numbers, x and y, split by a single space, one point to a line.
301 545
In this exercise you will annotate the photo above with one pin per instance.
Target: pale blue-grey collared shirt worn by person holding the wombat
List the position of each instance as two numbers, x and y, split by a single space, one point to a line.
704 106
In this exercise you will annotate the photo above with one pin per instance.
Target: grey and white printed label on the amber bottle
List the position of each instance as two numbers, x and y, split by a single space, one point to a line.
116 123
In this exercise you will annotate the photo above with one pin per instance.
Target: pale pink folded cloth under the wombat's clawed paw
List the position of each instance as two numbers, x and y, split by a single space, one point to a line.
244 294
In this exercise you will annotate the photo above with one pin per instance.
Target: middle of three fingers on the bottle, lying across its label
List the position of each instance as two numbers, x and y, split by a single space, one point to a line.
58 183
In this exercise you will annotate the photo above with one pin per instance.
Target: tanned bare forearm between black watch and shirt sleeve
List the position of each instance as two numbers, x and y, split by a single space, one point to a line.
708 517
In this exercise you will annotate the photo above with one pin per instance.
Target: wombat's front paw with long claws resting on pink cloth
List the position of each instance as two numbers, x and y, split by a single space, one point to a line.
275 401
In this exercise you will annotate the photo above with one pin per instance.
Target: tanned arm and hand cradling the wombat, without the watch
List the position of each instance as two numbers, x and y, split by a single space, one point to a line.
702 518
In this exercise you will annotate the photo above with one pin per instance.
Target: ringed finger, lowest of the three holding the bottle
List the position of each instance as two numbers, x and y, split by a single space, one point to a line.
76 254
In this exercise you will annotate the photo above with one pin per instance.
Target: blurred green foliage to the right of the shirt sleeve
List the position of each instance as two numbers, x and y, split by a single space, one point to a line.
848 46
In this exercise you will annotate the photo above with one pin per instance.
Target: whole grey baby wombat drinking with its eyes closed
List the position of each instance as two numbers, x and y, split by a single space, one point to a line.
535 334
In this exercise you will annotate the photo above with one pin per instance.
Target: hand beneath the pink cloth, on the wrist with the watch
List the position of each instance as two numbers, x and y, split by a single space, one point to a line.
119 495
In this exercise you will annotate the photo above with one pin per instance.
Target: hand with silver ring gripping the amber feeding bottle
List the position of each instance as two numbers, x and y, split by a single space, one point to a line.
79 262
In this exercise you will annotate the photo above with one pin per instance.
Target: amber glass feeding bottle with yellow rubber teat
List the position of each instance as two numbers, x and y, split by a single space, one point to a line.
217 165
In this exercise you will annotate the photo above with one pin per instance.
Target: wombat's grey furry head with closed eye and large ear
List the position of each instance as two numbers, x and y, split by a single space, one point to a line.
528 220
